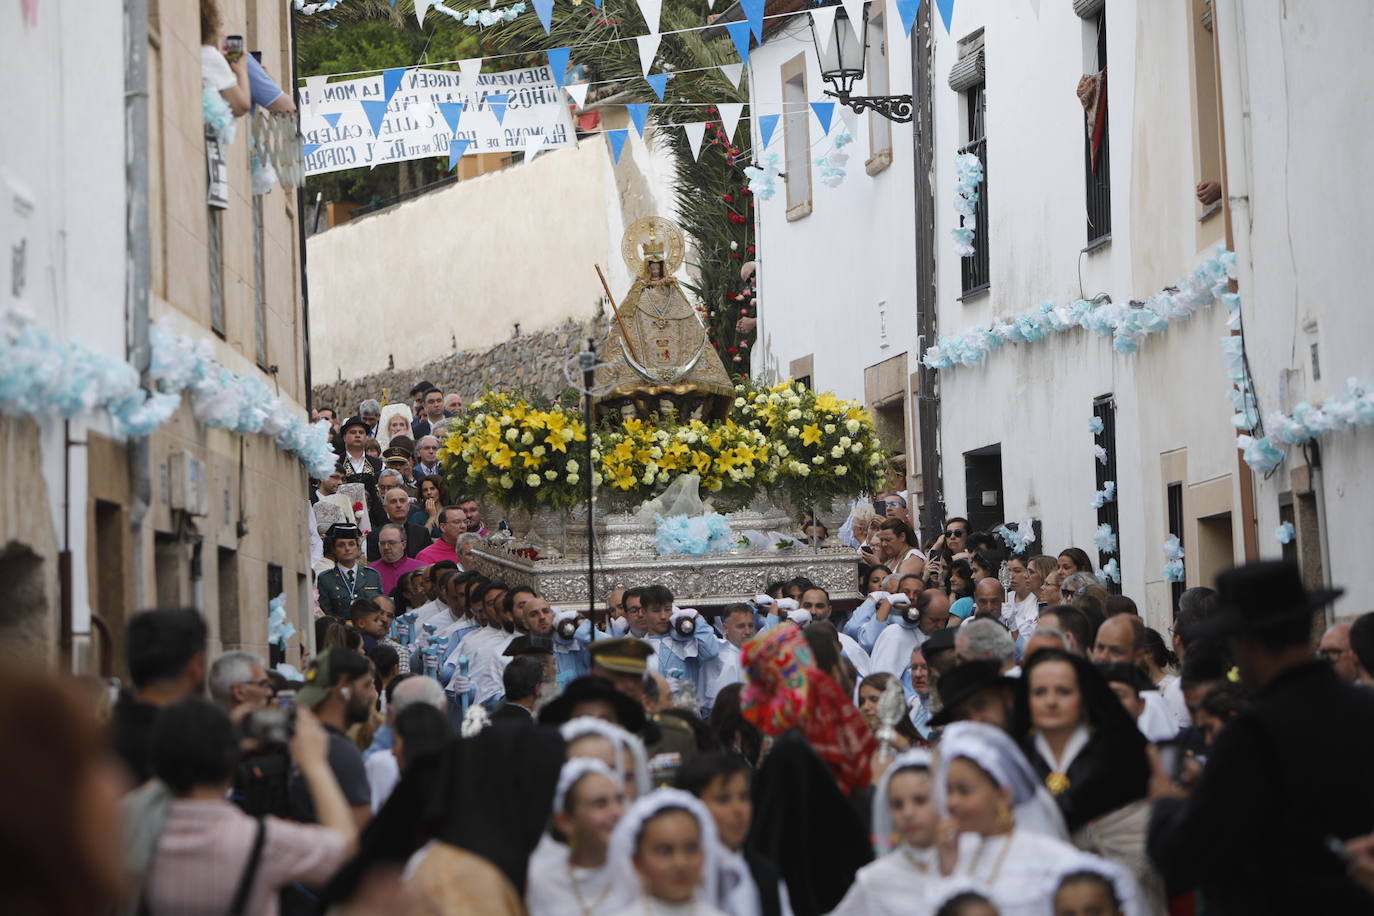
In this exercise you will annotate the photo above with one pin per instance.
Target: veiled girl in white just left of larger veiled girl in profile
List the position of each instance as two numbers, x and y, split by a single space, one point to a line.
905 825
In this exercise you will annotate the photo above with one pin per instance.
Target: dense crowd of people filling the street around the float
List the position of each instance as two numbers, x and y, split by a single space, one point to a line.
971 733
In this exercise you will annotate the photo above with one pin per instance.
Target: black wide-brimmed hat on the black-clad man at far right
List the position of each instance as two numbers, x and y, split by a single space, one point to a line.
1258 597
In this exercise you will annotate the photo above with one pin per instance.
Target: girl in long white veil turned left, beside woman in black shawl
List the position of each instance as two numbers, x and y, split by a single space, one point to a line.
1004 834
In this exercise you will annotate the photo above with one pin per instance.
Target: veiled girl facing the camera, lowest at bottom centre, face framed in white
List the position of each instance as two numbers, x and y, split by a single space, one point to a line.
671 840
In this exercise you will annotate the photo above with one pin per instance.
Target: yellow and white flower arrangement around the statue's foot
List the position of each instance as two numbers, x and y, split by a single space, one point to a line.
811 448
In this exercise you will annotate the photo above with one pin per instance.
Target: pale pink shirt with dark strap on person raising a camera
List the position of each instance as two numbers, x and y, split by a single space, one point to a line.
205 848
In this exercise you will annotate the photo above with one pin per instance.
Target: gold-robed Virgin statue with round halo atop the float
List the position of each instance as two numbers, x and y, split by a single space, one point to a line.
659 356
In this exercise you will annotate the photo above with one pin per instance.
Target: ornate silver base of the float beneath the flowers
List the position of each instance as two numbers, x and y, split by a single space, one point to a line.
626 557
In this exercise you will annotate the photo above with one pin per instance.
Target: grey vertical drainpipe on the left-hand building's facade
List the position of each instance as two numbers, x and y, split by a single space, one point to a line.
138 262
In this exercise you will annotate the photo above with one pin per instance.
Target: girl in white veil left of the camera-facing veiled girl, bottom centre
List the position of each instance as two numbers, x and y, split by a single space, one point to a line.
576 877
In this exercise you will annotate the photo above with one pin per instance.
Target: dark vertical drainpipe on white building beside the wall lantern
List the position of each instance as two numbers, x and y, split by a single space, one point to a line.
928 396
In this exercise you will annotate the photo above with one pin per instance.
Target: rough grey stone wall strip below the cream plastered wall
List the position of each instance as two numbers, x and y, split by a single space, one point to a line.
531 362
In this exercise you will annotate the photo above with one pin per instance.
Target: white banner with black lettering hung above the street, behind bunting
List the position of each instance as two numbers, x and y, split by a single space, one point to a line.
339 131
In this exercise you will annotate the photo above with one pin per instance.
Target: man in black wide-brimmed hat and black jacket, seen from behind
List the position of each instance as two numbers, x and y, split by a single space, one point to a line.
1288 781
